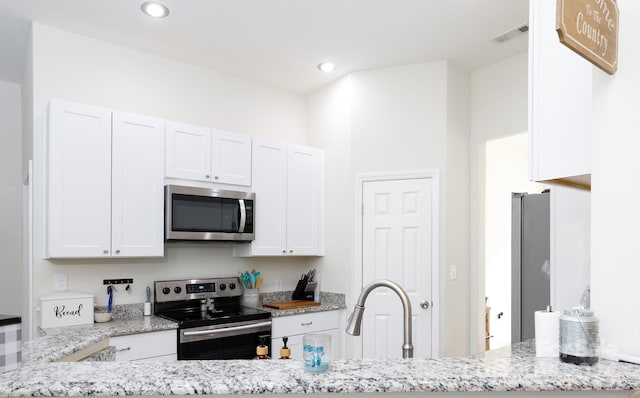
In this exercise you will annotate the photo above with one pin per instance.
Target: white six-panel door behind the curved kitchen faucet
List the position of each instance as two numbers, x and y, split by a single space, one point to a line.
397 245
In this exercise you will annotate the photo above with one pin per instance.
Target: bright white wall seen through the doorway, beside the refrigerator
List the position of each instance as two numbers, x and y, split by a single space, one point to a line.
507 161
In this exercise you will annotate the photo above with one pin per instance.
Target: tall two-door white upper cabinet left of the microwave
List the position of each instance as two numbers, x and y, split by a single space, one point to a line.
103 199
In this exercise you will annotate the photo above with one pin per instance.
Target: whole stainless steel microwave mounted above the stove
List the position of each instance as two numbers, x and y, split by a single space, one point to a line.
206 214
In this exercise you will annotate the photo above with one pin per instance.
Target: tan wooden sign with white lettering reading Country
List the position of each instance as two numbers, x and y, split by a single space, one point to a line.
590 28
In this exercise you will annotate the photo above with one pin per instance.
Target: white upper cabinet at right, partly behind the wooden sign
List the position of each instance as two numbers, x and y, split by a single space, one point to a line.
560 103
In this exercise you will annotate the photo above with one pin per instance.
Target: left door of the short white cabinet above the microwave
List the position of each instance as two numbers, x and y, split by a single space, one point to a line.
188 152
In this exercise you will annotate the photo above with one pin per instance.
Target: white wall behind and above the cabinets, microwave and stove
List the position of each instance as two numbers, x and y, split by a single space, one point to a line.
81 69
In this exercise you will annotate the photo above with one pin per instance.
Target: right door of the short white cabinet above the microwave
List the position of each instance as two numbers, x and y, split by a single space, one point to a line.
231 158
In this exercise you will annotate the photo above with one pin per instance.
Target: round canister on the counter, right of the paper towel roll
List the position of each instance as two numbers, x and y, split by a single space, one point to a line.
579 336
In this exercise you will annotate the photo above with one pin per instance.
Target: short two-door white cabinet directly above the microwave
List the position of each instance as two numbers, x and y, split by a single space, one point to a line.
204 154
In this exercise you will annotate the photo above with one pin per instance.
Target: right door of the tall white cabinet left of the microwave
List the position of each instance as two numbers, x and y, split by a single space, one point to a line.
137 186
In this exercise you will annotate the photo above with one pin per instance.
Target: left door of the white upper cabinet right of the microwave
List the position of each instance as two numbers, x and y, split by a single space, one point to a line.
269 175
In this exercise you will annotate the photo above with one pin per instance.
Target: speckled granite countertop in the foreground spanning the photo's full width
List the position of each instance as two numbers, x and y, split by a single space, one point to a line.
496 371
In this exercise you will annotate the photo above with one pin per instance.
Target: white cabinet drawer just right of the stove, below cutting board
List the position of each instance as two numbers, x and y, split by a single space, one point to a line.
304 323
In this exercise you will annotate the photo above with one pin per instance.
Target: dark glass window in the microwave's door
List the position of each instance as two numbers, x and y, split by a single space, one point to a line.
205 214
